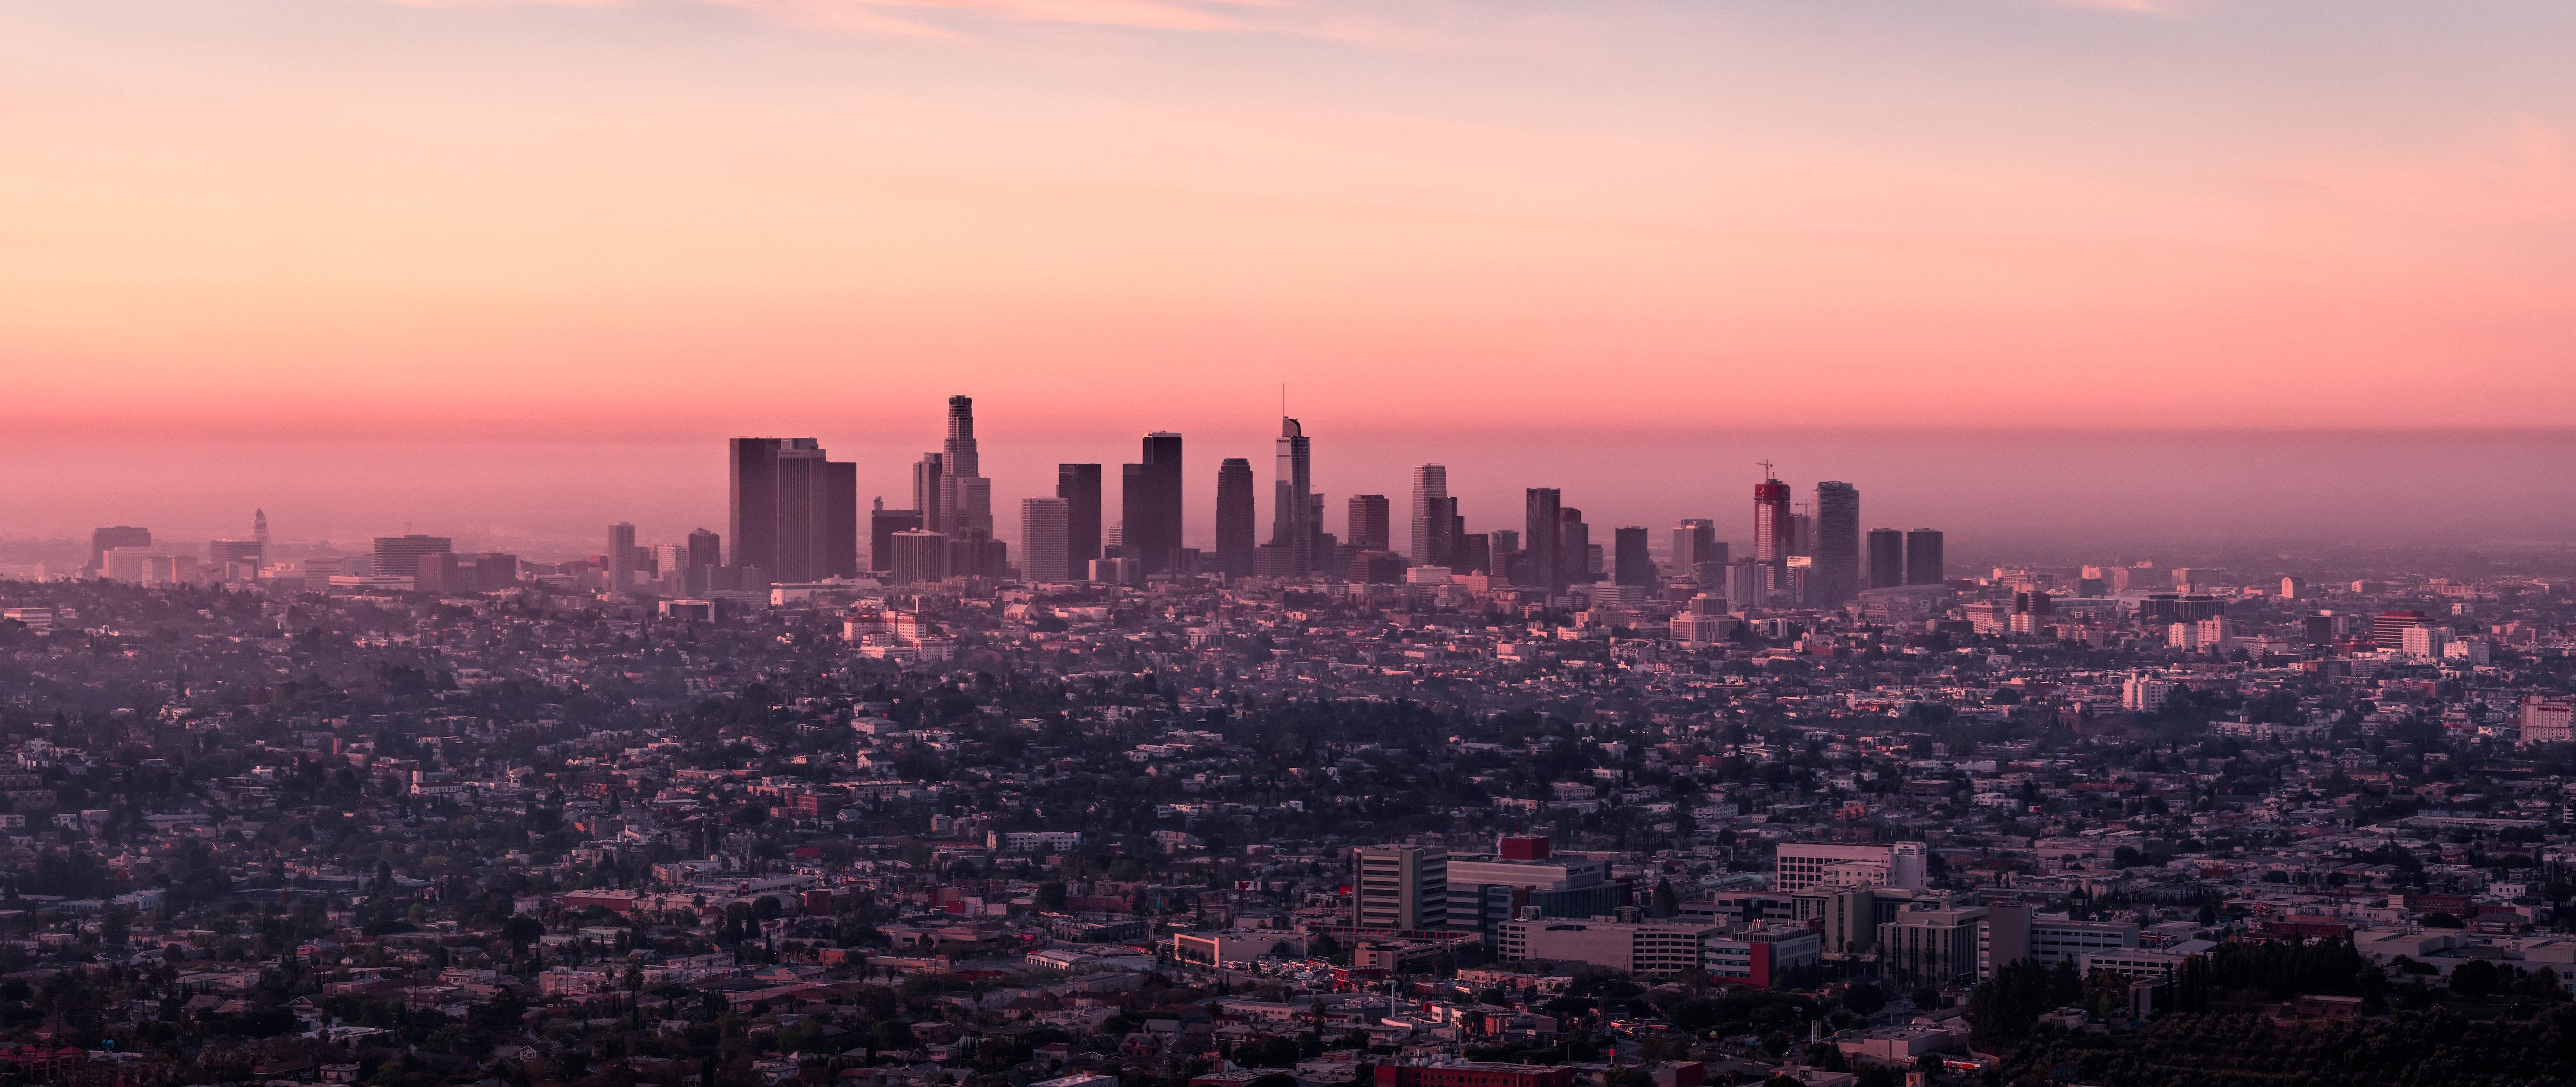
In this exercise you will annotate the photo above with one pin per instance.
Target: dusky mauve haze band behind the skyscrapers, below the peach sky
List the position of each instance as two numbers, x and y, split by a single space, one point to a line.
2116 496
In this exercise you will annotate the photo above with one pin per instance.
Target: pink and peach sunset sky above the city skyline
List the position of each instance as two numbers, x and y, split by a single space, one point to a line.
385 259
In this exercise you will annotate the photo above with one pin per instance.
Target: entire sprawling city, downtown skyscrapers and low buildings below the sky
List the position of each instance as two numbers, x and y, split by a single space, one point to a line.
877 800
